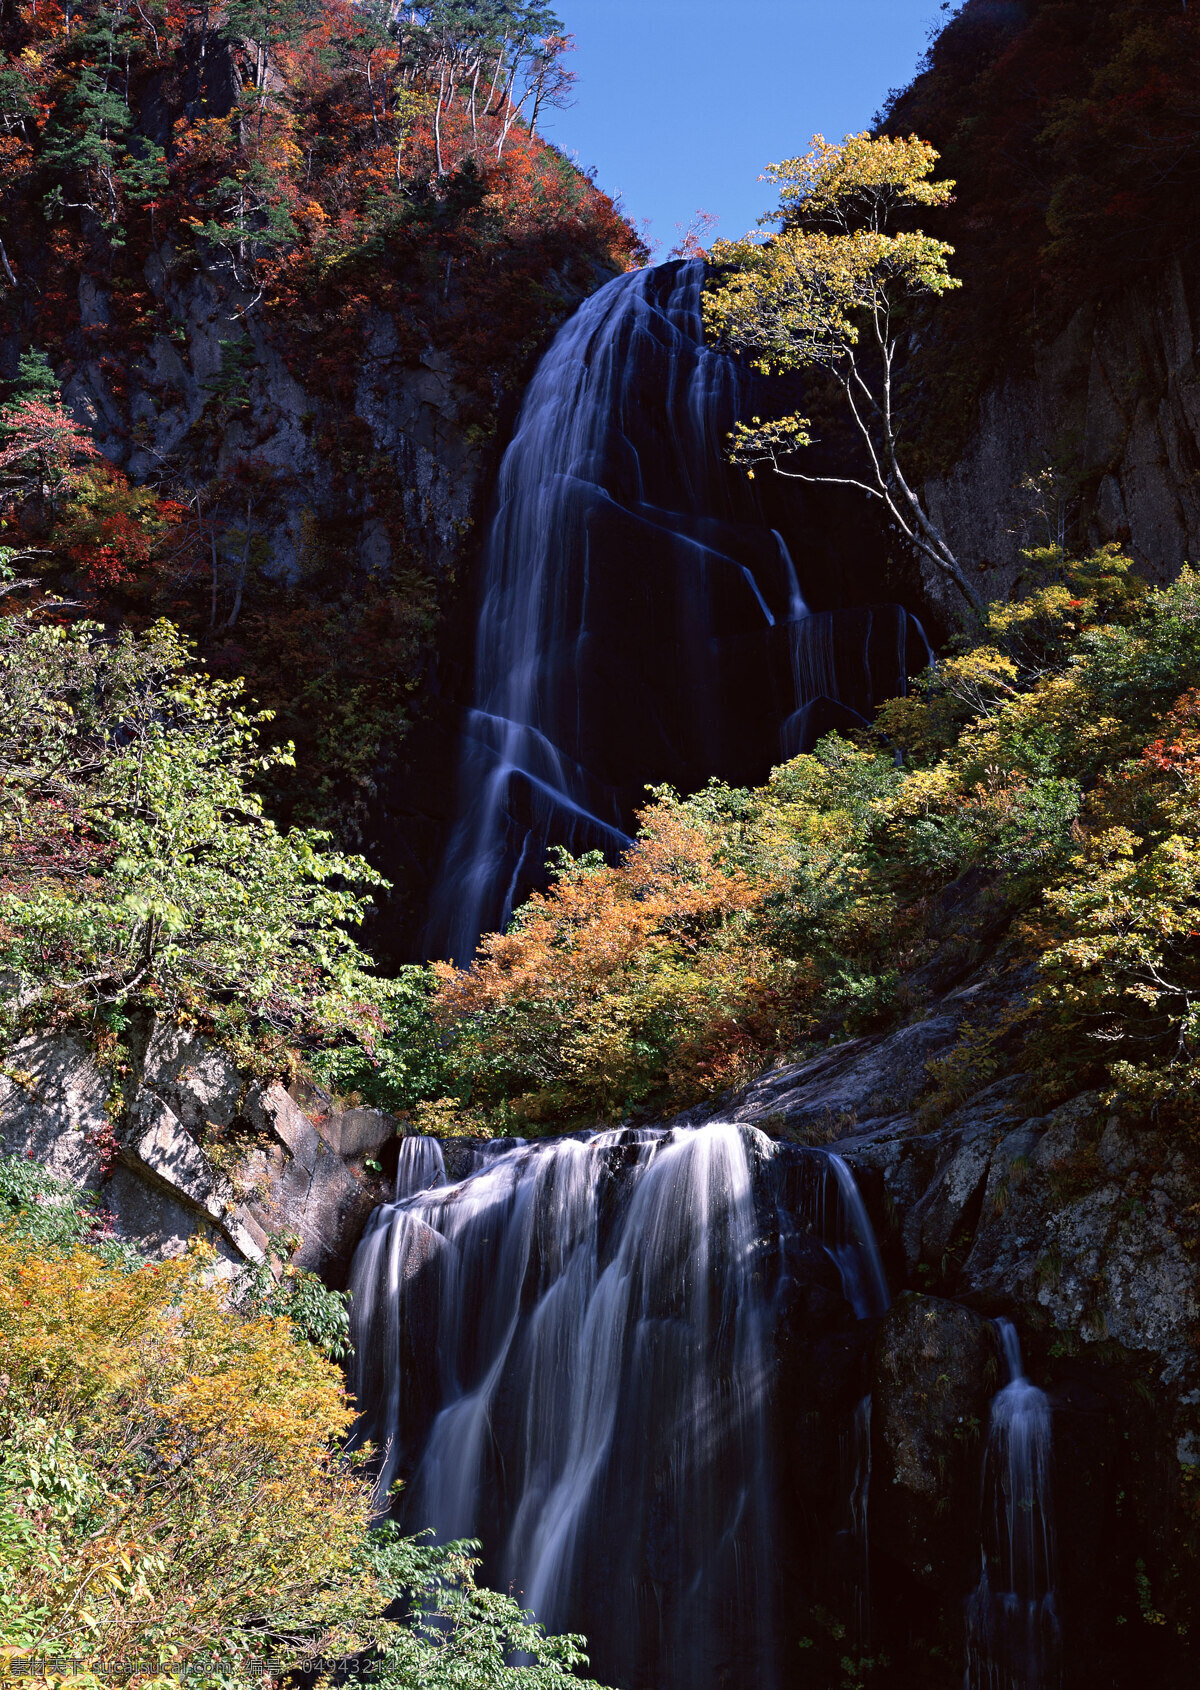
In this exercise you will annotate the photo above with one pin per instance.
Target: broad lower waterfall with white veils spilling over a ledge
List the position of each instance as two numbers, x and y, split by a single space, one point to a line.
572 1353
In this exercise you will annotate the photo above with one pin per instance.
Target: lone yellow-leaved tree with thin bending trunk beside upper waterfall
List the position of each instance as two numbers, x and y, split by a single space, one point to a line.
831 292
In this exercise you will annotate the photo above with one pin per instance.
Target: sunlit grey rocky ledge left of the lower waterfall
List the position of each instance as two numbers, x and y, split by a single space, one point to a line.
180 1145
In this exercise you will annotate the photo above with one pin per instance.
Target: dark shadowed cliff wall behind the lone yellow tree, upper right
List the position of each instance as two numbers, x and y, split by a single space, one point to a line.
1069 129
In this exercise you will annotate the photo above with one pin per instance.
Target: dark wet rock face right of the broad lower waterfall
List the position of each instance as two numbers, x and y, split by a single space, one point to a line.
1077 1226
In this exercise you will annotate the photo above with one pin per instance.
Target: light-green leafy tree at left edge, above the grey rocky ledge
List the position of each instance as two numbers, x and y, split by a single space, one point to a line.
128 797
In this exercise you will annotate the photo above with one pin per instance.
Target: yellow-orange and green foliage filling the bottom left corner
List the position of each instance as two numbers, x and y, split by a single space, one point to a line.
175 1495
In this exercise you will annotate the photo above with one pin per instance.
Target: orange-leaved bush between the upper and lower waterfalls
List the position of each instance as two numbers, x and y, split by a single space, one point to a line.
641 984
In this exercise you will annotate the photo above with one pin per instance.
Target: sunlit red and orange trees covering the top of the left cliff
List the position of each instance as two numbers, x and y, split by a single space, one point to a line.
317 160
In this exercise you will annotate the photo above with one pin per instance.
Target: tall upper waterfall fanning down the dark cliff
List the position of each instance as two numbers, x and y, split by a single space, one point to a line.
640 619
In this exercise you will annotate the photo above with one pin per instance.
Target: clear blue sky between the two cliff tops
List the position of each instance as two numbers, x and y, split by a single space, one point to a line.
682 102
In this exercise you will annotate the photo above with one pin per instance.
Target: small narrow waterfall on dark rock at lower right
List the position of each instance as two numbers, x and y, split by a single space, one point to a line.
1013 1640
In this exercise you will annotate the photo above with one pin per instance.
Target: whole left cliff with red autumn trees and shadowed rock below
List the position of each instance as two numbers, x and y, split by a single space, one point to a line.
210 217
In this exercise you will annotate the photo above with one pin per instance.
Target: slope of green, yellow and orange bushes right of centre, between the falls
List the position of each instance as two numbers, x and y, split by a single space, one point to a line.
1047 800
